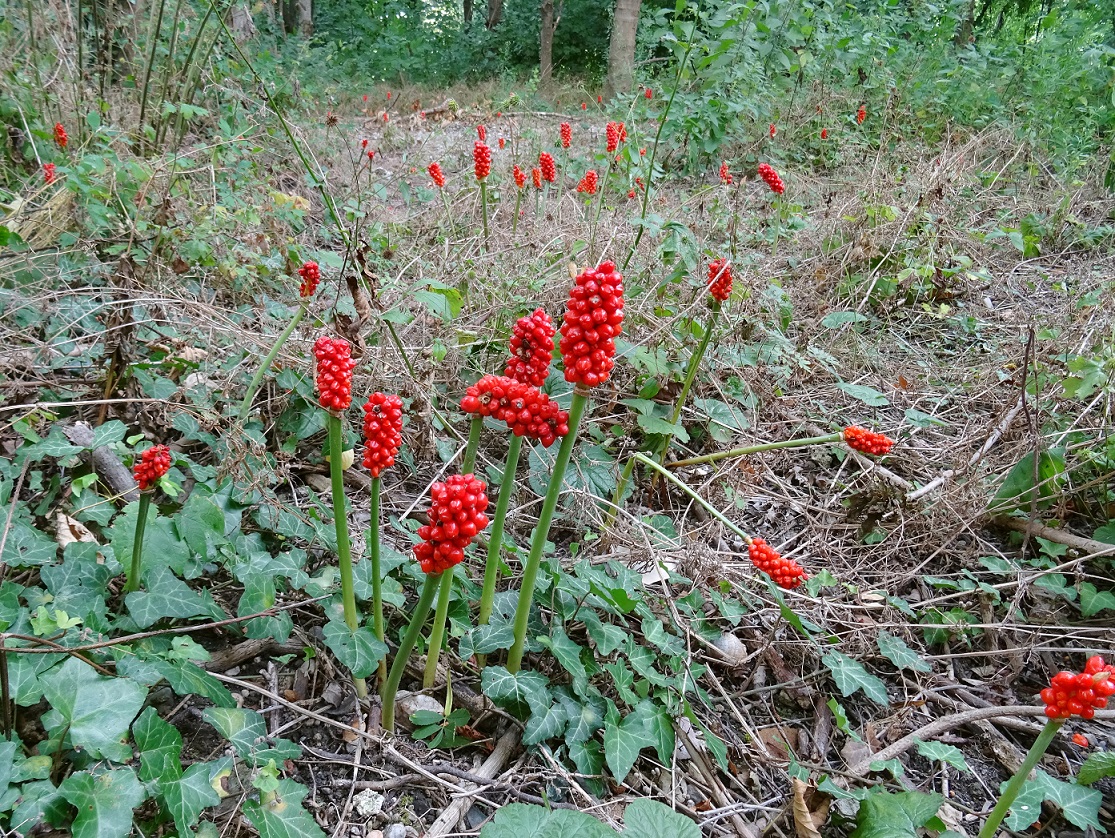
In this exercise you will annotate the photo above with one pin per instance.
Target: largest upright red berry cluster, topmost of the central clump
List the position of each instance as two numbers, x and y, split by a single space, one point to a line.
594 320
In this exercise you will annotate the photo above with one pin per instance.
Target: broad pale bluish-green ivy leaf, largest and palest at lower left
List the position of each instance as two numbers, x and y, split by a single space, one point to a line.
96 712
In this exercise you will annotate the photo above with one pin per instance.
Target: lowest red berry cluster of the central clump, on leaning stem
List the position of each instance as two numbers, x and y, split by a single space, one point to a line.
457 515
